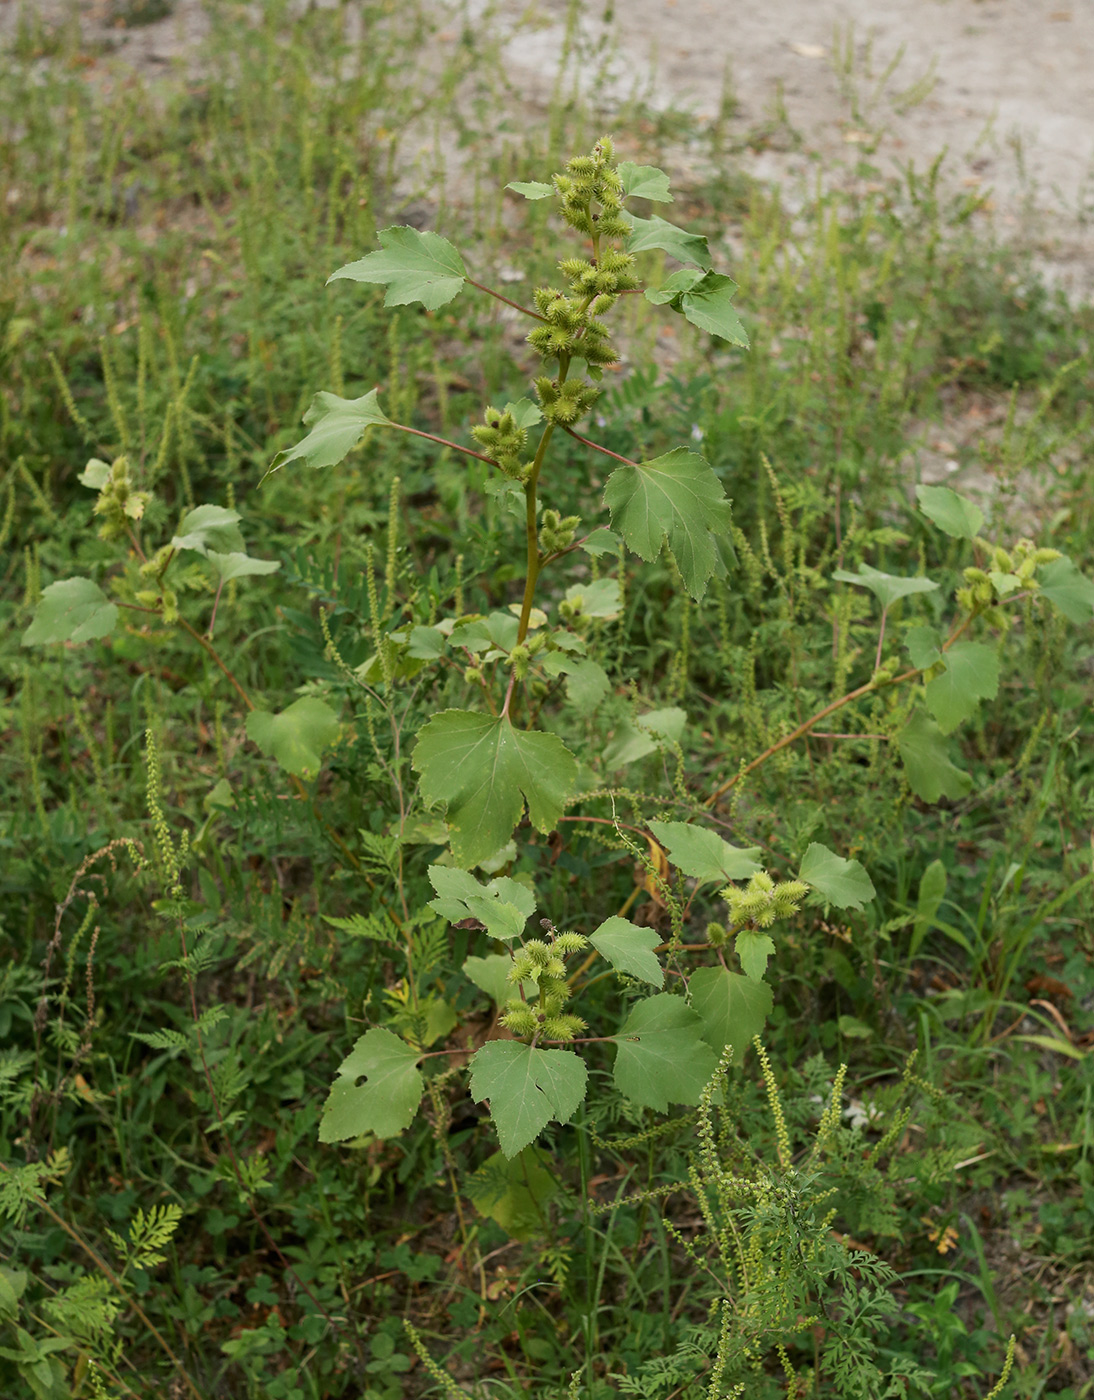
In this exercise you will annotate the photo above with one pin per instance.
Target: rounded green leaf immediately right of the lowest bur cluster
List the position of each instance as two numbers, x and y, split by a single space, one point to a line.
662 1056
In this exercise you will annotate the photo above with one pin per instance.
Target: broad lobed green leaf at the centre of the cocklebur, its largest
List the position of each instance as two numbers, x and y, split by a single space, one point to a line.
485 771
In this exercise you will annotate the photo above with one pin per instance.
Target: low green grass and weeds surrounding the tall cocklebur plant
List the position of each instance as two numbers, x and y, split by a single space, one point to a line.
167 247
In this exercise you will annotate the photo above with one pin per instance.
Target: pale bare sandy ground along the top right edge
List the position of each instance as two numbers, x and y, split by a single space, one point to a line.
1006 87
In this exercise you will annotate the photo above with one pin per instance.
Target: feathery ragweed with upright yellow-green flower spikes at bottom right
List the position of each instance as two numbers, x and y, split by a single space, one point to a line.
799 1308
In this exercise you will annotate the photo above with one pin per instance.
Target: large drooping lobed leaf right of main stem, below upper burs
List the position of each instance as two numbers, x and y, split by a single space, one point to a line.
674 499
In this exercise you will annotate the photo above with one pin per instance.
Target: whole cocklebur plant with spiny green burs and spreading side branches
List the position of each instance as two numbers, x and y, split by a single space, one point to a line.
498 757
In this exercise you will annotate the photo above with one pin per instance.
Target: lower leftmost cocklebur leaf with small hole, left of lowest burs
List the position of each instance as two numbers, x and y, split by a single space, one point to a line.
378 1090
